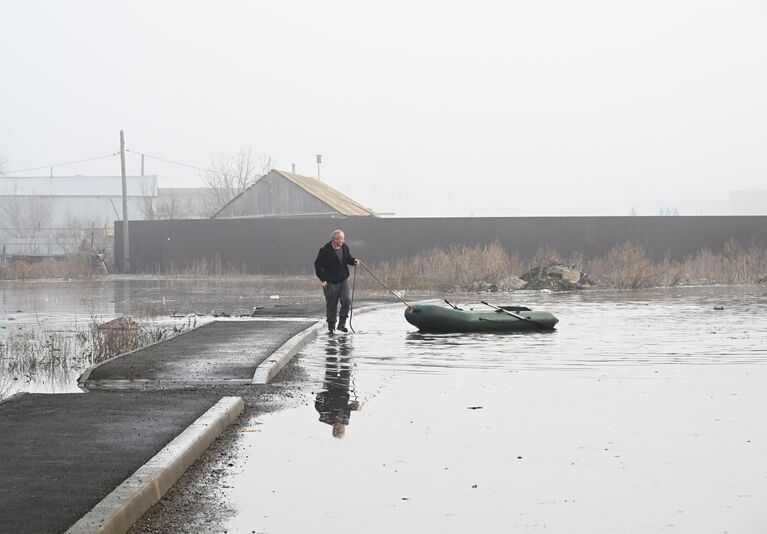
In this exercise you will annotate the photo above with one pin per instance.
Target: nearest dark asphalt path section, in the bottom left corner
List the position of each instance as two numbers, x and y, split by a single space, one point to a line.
61 454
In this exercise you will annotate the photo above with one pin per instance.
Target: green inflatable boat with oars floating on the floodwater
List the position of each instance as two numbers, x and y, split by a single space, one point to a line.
439 318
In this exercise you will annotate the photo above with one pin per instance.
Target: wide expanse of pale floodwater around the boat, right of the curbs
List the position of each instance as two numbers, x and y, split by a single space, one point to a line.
643 412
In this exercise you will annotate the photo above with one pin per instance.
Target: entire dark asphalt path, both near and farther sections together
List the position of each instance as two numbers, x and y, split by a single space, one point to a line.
61 454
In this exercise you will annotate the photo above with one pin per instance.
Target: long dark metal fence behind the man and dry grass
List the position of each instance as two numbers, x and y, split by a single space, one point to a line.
289 246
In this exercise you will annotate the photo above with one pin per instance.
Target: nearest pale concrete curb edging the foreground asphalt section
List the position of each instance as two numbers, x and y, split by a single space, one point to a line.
130 500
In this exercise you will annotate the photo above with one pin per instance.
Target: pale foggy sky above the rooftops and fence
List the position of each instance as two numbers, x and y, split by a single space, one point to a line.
419 108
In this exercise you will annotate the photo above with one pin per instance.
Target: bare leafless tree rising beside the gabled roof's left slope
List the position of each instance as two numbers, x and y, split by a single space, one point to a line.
231 175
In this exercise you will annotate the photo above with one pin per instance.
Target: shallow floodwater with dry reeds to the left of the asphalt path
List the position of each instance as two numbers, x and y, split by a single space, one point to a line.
33 313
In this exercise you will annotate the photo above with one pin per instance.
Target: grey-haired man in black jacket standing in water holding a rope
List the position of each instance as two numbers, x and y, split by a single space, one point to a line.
332 268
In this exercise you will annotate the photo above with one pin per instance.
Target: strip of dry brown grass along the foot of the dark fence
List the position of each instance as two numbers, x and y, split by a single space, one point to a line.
627 266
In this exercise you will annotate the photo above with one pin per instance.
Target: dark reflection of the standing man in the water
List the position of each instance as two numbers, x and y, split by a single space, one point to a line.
333 403
